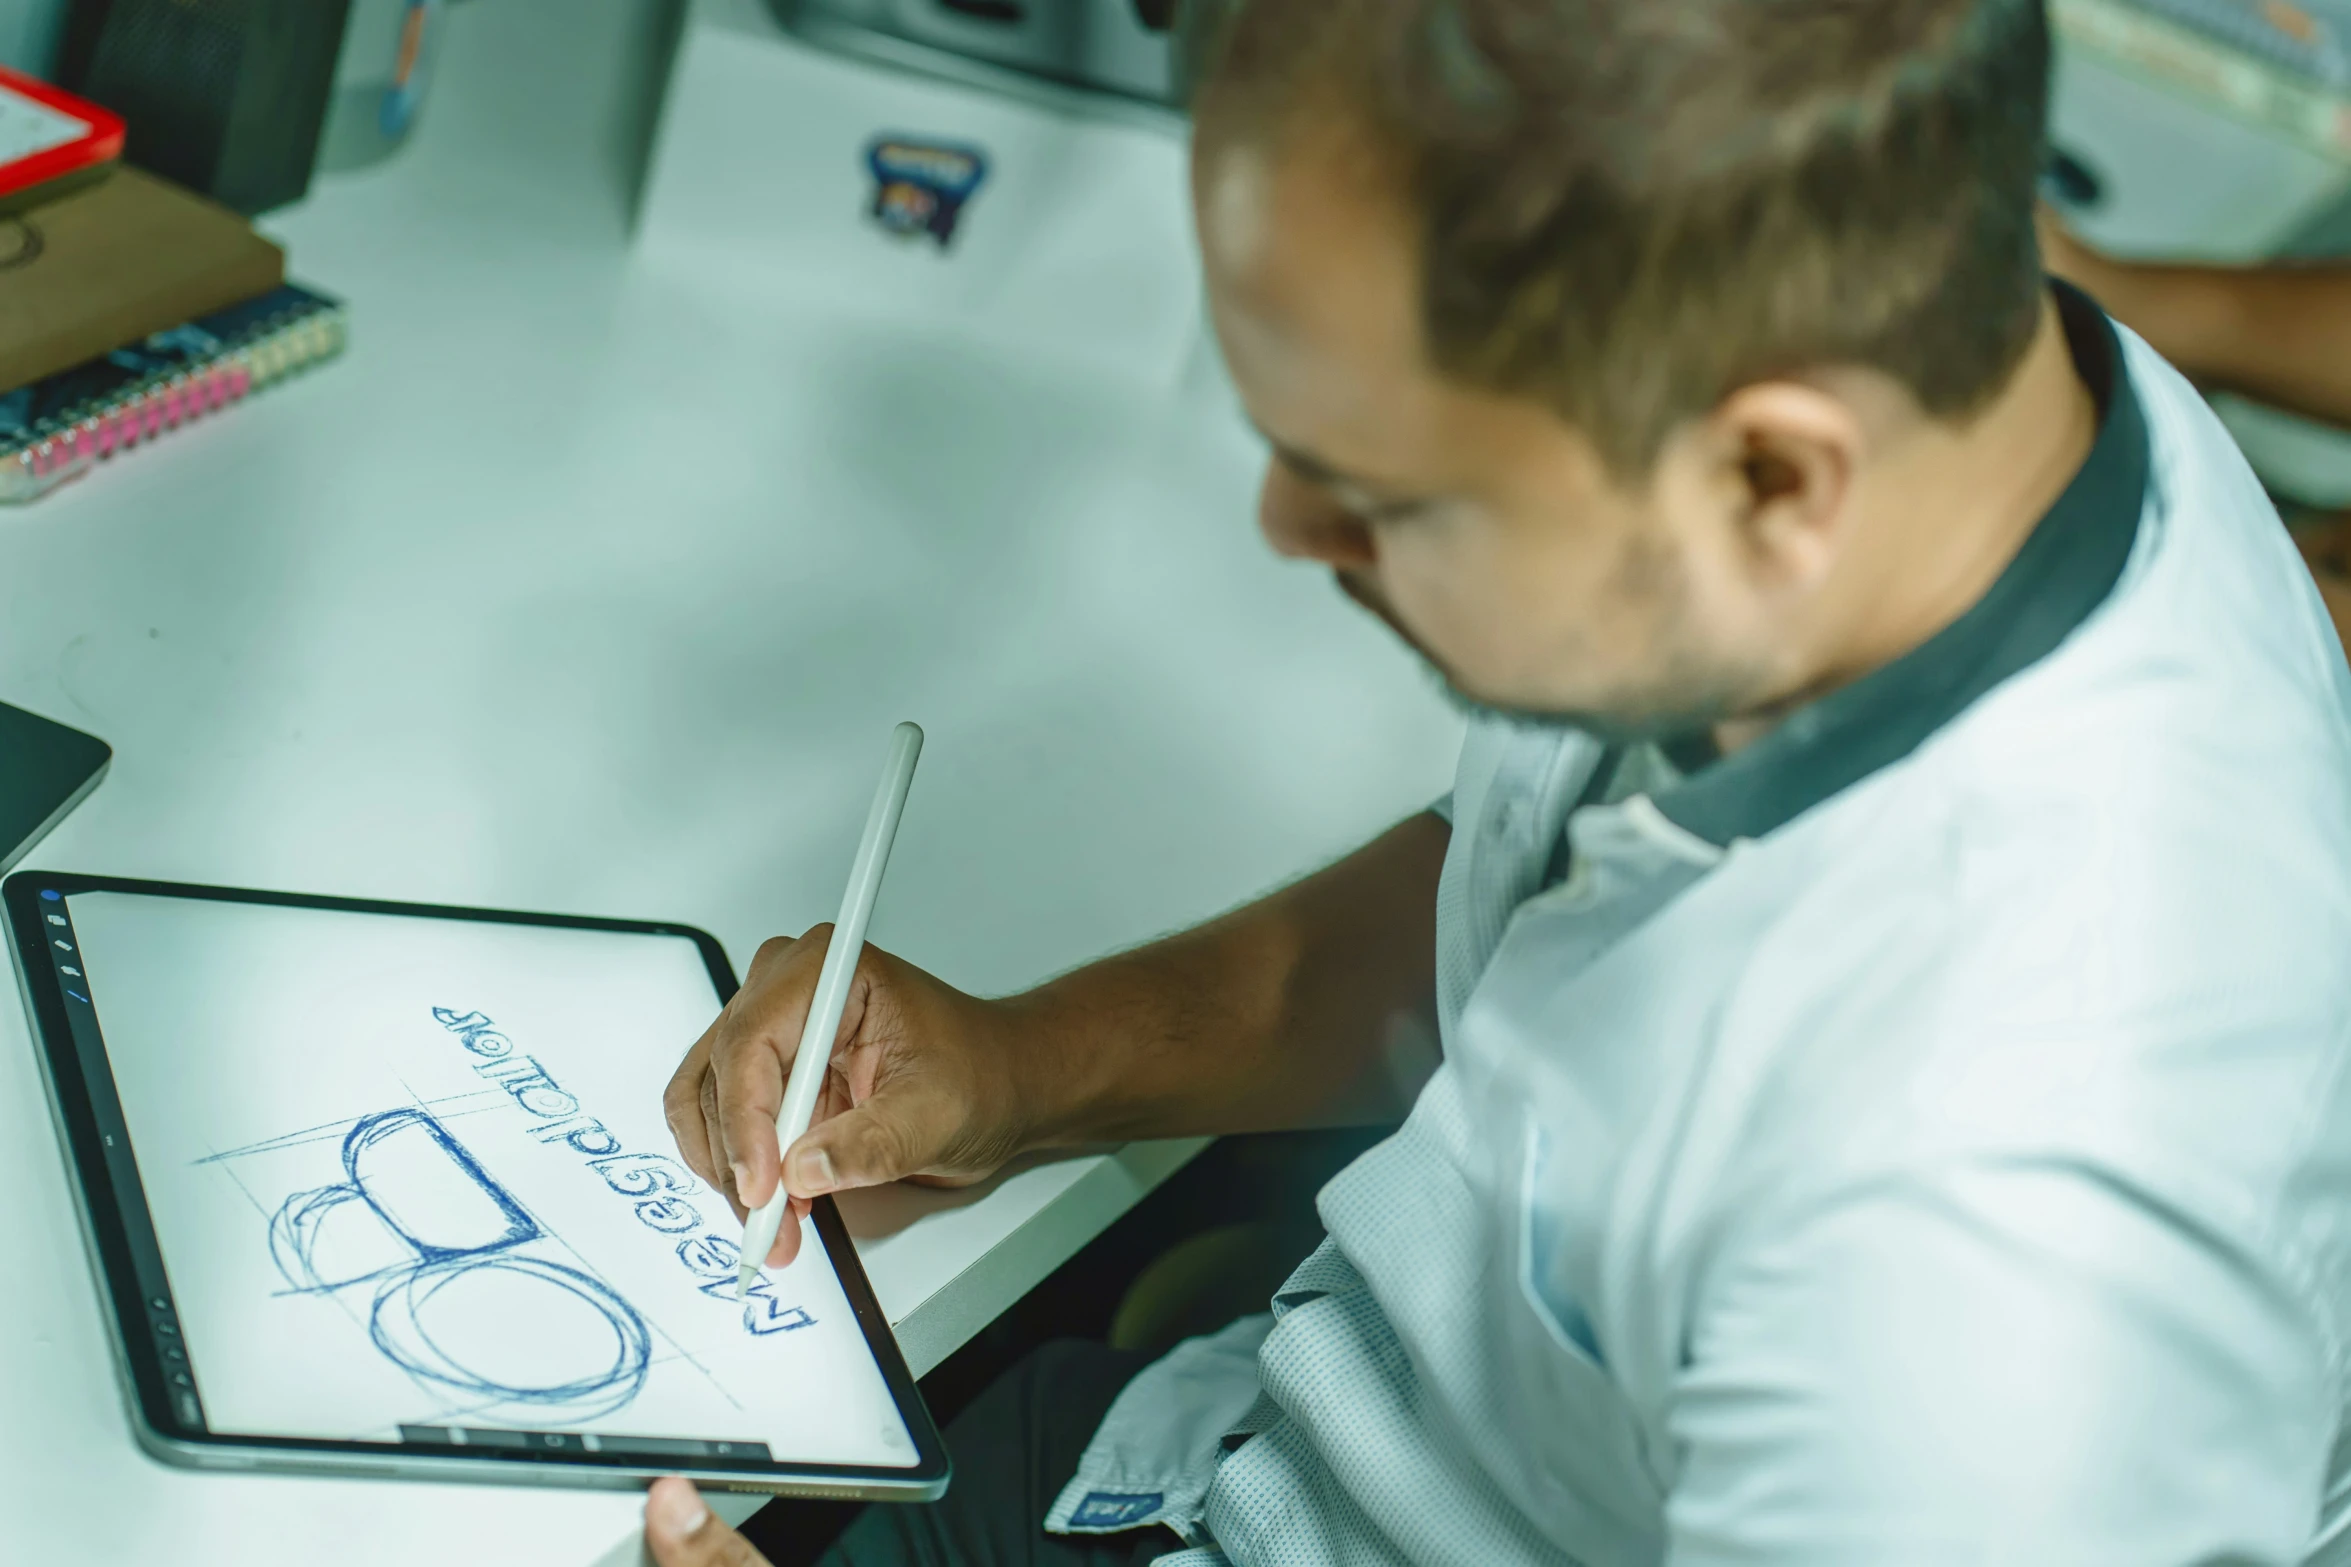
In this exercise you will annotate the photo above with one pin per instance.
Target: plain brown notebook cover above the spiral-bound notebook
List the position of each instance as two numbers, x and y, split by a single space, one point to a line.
116 262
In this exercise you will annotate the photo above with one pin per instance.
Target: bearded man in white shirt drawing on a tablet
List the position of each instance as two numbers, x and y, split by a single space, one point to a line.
1889 936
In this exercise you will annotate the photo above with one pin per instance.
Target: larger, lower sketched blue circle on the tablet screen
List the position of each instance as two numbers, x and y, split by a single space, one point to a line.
483 1326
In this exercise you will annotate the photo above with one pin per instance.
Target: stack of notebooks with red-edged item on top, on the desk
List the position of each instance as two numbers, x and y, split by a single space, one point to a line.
128 307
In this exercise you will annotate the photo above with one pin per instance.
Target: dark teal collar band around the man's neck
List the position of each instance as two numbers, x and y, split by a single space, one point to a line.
2061 574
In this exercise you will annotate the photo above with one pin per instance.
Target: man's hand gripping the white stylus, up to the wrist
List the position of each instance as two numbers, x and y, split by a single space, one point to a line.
923 1084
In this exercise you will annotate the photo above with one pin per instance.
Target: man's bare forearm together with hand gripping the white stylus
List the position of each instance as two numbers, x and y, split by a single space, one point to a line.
1311 1007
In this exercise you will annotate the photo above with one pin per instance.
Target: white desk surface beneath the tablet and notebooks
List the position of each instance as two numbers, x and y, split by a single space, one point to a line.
587 584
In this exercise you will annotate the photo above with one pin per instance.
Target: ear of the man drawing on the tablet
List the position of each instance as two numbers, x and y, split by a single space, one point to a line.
1790 457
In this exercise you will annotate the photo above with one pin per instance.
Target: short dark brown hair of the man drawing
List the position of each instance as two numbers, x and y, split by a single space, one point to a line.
1635 208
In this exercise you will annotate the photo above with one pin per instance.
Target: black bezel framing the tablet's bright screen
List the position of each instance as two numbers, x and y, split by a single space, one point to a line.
128 1260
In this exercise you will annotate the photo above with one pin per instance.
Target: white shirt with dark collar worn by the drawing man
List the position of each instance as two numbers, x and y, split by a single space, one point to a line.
1915 1138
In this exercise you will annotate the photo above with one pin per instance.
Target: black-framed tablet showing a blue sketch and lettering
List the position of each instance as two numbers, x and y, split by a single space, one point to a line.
387 1190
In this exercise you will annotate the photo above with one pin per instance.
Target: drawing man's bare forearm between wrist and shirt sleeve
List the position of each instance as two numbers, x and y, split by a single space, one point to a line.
1311 1007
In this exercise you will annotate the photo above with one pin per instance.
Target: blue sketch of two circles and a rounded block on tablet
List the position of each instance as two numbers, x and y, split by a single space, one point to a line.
448 1253
